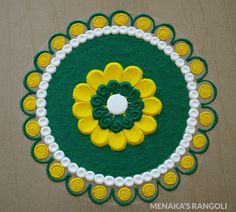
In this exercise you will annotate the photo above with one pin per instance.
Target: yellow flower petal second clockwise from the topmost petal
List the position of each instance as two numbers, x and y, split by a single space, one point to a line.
146 87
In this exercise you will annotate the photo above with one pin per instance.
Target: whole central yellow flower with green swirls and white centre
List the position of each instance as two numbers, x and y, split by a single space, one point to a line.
119 115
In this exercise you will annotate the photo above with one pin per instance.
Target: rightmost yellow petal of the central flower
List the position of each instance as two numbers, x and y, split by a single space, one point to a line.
152 106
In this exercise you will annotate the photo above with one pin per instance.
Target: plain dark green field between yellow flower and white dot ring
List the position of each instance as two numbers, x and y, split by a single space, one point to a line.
171 89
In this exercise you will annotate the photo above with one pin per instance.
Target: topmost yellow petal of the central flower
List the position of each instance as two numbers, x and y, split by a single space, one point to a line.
113 71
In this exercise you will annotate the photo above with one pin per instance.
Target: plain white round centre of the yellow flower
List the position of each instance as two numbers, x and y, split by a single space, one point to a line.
117 104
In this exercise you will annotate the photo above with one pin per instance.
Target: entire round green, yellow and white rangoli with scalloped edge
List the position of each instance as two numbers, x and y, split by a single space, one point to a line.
118 107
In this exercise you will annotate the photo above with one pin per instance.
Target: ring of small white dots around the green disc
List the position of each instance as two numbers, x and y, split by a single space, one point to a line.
90 175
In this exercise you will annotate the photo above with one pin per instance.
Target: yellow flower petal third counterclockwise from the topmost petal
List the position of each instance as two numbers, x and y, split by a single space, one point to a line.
82 109
